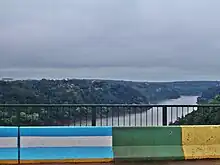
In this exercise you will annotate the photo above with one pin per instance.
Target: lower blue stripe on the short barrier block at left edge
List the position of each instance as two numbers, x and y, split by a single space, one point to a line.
8 154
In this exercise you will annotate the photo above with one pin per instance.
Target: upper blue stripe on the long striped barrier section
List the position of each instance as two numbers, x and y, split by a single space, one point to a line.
66 131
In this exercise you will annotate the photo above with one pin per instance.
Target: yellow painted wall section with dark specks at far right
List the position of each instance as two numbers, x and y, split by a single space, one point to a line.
200 142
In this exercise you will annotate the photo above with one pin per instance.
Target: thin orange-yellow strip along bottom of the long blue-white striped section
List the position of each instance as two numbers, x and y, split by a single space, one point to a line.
67 161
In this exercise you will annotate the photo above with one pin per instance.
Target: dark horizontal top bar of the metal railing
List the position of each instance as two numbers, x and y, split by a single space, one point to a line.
106 105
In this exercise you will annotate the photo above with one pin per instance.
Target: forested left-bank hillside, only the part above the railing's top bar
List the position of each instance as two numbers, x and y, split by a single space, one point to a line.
83 92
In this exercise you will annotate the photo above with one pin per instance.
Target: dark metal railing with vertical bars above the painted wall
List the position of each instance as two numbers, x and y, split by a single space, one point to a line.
94 114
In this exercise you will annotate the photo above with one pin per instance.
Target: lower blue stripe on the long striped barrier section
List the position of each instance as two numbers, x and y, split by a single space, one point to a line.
66 153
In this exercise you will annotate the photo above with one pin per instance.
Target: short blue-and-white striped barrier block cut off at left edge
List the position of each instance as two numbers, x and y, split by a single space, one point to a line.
8 145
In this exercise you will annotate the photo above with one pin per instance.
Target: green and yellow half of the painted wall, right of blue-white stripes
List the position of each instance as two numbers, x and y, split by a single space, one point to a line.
166 143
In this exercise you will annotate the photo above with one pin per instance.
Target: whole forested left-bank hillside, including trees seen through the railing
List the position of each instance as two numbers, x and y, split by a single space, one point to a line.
72 92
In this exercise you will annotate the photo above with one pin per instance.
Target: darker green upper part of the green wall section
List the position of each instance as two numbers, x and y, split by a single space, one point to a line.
146 136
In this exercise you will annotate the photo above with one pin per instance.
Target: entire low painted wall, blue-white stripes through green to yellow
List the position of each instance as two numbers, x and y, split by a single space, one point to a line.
103 144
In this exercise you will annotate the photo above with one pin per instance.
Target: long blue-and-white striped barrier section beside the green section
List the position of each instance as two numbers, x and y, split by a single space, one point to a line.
66 144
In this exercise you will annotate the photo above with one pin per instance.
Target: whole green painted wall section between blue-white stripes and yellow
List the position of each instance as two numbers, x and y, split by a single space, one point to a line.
147 143
